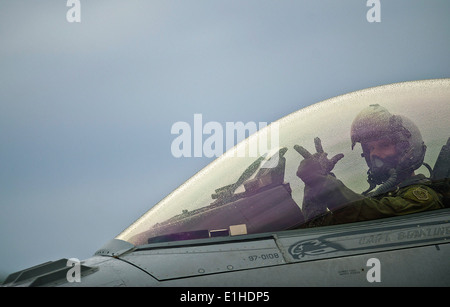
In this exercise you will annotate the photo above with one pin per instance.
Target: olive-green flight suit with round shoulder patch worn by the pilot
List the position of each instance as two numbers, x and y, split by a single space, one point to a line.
413 195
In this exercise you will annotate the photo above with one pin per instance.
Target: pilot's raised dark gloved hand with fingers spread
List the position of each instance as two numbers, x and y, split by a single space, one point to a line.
316 166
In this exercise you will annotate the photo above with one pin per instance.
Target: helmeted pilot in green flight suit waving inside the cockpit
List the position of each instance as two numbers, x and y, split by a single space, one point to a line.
393 149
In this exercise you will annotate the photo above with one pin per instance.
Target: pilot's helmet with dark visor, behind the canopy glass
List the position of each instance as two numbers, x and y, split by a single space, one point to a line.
376 122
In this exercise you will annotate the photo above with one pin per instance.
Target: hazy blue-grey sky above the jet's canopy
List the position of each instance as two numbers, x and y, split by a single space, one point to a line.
86 108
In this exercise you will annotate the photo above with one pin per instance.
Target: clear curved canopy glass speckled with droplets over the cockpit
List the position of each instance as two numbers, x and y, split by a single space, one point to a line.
253 188
